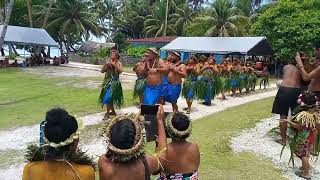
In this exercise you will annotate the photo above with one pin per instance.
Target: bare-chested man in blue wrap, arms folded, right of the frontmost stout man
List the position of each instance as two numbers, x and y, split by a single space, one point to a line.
177 71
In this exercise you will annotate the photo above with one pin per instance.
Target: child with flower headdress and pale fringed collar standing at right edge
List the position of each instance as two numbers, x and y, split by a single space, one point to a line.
304 126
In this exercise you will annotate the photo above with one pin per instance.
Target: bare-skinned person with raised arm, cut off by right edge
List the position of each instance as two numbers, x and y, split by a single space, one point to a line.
313 76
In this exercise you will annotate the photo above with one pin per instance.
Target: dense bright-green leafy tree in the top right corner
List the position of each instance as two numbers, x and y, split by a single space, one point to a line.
290 26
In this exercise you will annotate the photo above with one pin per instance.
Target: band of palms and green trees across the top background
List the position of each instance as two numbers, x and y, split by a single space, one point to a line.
289 25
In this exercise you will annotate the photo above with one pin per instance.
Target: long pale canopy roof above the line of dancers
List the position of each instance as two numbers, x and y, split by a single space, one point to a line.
221 45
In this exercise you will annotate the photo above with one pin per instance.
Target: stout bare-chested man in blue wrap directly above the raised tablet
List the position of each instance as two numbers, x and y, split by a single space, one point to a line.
155 68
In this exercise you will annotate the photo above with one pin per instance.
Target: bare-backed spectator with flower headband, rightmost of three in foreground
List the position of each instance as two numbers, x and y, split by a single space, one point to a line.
183 157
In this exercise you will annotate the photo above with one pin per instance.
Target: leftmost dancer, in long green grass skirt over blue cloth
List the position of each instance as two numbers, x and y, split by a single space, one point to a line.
111 92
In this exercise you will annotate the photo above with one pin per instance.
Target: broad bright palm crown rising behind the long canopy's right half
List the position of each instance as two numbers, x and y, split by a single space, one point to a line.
225 19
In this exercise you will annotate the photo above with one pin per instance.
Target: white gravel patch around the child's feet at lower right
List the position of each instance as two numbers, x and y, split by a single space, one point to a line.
258 141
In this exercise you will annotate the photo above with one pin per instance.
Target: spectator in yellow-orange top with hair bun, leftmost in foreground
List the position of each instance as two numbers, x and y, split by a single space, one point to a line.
59 158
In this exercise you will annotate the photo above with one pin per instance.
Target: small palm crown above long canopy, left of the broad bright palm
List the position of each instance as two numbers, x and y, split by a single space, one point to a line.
182 17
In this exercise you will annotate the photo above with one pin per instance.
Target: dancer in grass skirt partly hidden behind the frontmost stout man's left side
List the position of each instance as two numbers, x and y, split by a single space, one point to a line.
140 84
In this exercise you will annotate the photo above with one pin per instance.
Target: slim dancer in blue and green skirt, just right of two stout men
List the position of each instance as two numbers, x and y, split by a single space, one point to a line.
189 84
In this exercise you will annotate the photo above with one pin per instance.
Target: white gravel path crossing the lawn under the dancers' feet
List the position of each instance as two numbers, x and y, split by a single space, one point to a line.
96 146
